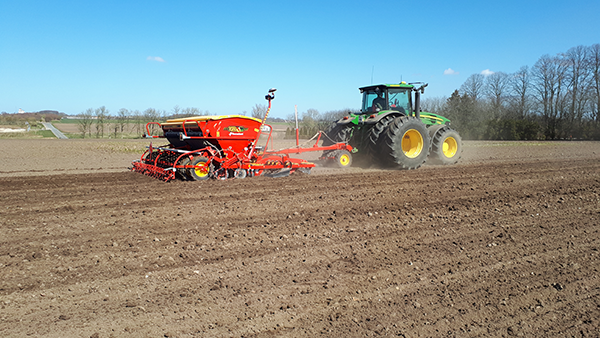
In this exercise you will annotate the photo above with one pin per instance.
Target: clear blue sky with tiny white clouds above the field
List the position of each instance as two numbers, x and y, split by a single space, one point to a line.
222 57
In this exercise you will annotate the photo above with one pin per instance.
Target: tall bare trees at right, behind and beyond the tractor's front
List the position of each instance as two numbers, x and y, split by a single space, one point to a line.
557 98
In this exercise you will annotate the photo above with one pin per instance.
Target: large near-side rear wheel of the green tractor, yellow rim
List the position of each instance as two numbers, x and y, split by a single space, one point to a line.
405 144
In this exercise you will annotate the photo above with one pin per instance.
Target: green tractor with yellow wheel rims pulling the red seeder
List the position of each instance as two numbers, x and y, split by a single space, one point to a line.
389 132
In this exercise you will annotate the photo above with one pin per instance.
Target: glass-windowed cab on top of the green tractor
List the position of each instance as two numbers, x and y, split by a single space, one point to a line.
378 98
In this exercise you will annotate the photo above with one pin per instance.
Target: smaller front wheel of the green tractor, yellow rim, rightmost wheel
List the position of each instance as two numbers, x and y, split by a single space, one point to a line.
446 146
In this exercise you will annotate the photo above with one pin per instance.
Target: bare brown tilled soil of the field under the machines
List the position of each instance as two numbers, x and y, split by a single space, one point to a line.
505 243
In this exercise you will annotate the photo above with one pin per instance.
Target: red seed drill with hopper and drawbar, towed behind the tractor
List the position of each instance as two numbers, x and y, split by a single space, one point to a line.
199 151
